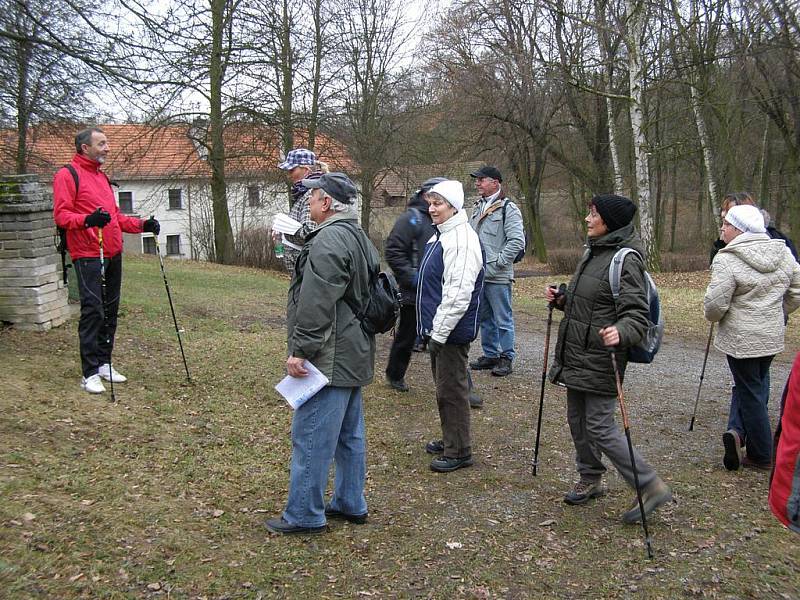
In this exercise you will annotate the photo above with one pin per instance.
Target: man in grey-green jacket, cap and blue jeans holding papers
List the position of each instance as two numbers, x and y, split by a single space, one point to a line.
331 273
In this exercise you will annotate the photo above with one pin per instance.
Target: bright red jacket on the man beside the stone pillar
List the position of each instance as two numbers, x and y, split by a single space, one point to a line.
70 211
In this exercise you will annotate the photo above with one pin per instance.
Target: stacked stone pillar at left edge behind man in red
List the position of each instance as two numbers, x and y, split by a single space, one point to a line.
32 293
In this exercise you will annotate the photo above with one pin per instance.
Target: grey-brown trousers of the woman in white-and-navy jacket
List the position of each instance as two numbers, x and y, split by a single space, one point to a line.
450 374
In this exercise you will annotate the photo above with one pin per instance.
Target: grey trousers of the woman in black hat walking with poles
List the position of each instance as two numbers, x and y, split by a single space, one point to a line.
595 433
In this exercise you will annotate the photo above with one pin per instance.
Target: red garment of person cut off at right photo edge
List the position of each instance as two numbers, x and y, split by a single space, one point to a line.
784 489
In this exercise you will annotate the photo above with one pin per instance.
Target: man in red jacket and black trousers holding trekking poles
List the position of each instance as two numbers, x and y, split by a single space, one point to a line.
84 205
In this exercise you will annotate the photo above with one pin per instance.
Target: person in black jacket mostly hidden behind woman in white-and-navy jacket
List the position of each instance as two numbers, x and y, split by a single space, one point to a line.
404 248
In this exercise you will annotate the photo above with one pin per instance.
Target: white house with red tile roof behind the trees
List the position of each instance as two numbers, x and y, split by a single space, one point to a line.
163 171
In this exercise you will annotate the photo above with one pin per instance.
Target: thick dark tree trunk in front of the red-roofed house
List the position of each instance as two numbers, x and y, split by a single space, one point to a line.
223 233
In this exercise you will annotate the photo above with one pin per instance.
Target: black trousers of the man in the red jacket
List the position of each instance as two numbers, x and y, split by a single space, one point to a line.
97 327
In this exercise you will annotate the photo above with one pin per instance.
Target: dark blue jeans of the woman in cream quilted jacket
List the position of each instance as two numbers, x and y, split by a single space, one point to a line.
749 398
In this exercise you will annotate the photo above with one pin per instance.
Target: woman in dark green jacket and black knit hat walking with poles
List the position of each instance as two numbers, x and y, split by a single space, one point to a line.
593 325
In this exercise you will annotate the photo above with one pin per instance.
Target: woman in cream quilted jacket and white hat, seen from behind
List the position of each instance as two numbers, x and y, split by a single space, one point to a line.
755 283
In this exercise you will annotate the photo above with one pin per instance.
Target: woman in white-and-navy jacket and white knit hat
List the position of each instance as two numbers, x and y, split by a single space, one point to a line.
448 302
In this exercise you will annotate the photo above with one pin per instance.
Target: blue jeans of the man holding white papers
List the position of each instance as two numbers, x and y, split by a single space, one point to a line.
328 427
